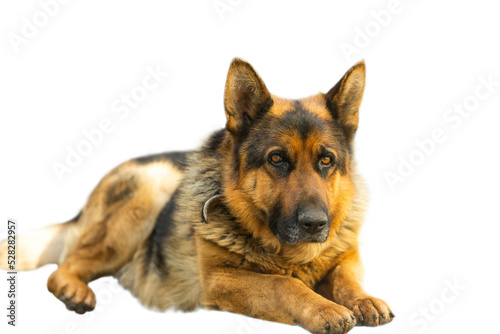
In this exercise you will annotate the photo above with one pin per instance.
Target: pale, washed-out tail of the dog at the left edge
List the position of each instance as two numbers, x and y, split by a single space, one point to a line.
35 248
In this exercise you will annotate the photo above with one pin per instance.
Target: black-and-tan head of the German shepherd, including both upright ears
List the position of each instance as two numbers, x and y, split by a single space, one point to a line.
287 176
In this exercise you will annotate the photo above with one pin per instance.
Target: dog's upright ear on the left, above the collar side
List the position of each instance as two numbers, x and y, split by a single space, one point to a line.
245 96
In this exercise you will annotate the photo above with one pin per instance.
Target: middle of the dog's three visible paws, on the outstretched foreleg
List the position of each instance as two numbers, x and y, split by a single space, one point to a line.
329 319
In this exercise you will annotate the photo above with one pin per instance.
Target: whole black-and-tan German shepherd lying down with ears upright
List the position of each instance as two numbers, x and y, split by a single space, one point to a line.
262 220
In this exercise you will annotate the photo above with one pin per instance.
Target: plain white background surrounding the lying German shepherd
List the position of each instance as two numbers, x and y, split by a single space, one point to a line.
440 225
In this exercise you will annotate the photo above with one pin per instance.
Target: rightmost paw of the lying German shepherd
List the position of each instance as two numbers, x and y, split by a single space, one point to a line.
370 311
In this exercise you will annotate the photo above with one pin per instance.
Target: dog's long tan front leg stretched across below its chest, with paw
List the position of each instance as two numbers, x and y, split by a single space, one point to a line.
270 297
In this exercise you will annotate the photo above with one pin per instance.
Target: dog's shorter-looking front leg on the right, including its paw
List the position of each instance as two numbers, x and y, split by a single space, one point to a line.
342 285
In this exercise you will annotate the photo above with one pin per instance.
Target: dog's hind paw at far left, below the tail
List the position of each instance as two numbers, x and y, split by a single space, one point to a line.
72 291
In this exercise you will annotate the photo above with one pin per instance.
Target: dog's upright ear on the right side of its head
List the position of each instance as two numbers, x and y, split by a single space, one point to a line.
344 99
